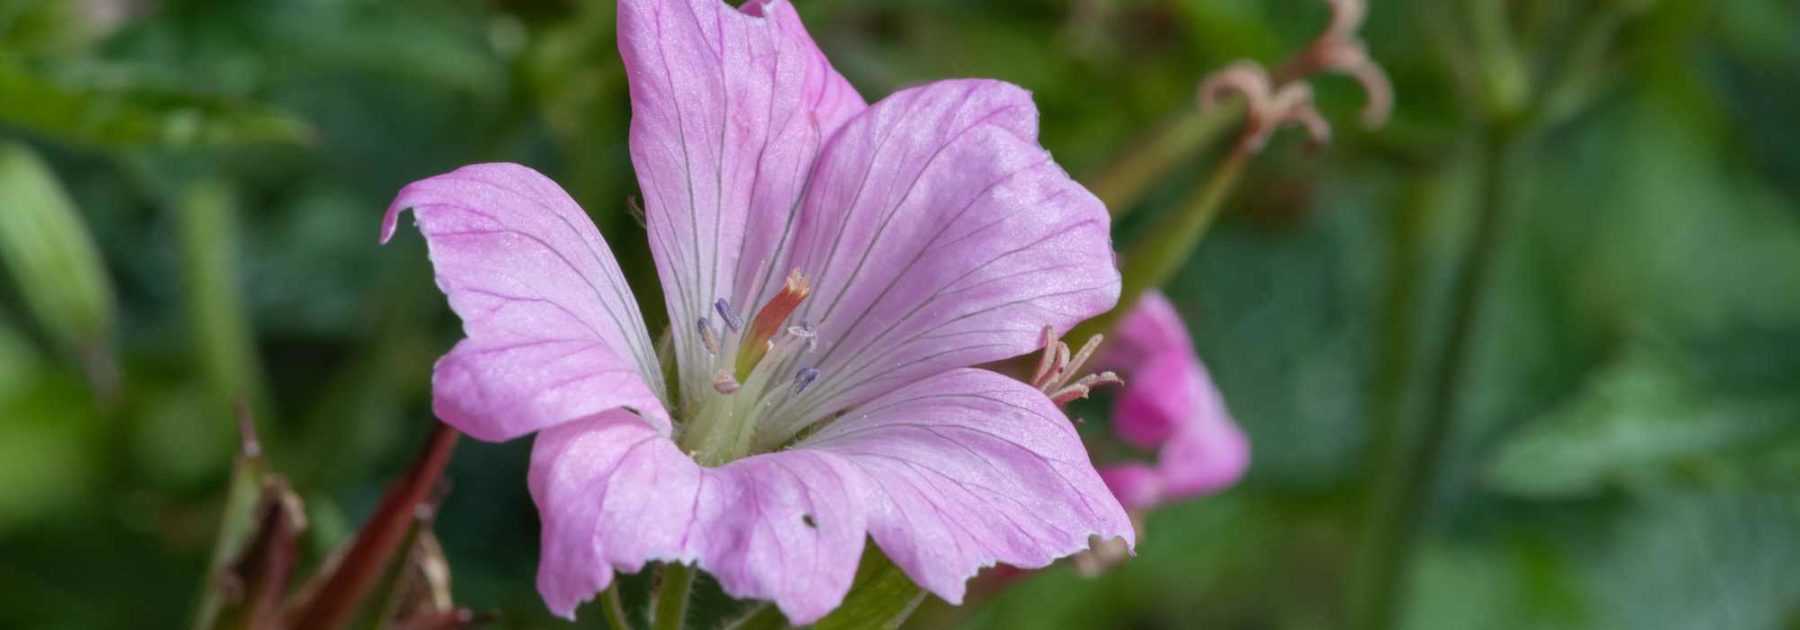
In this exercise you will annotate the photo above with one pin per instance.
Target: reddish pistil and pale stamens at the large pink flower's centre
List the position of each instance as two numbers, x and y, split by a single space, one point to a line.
753 368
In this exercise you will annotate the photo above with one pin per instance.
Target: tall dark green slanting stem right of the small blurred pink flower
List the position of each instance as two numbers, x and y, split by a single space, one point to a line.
1403 494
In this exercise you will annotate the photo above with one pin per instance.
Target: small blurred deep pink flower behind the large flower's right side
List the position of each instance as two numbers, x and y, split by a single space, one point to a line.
1173 408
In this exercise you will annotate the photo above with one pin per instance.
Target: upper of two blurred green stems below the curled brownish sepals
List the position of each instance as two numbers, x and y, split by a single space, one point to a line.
1128 179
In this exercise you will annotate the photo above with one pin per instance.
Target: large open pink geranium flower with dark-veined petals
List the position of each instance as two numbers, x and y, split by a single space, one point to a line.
834 271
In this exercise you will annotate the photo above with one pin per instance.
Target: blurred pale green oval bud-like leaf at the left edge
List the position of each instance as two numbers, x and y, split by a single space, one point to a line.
51 255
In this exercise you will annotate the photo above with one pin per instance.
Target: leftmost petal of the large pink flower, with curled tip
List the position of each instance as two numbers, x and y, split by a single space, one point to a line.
553 330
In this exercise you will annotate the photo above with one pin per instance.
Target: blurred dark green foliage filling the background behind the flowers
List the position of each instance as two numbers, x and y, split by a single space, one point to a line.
192 190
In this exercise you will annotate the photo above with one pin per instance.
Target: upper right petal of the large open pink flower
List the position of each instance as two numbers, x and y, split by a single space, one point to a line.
940 235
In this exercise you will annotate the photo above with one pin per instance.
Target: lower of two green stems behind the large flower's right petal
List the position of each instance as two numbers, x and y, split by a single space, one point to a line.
1171 242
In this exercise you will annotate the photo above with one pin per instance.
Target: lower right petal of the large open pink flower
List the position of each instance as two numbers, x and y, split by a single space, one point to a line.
967 471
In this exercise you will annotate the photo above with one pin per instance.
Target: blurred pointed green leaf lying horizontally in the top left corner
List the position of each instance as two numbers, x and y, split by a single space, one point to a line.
120 112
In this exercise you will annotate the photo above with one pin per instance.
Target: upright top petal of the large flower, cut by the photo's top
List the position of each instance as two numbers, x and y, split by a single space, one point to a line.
728 112
